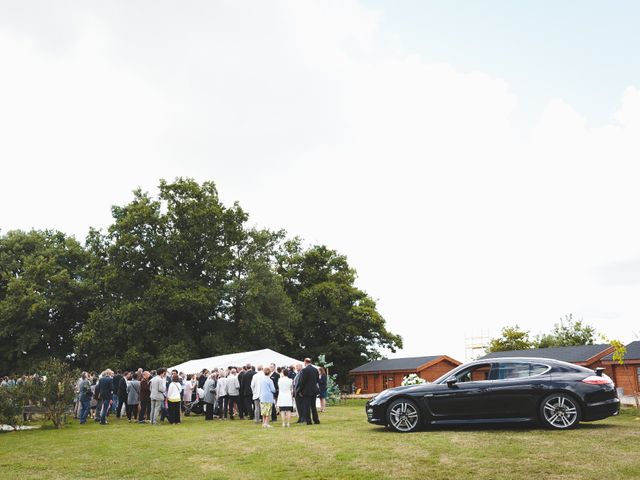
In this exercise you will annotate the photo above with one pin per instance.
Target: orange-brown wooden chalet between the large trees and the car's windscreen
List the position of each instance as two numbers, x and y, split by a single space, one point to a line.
378 375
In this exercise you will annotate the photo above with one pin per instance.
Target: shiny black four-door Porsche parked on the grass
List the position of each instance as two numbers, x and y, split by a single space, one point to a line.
557 394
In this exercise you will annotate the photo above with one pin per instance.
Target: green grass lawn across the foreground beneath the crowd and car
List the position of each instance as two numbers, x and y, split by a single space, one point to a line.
344 445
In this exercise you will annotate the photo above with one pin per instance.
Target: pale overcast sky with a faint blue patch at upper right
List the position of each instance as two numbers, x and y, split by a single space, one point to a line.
478 162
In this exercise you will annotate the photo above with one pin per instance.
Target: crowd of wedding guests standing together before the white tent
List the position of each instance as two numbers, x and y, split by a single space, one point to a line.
245 392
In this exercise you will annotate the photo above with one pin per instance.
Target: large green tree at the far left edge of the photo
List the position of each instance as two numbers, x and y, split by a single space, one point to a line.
45 297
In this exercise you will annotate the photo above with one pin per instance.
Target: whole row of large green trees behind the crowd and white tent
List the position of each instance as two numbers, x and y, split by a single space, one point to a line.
175 277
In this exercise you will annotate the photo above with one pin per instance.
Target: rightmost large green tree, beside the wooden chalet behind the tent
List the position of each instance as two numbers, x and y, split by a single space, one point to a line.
336 318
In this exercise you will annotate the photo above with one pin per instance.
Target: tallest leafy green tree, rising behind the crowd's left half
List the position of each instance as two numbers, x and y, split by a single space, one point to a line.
163 267
